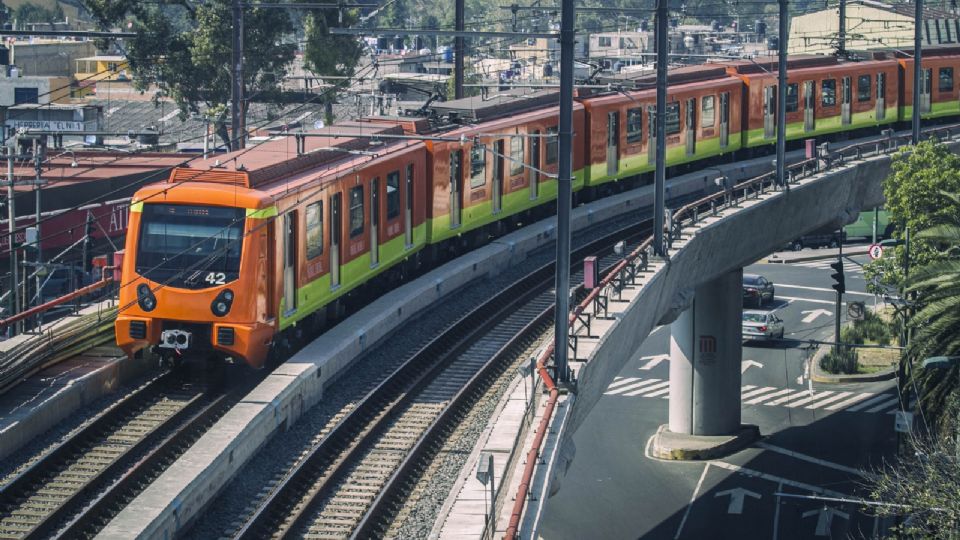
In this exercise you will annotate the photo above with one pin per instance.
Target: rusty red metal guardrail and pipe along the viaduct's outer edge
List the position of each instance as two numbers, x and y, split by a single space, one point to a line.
626 272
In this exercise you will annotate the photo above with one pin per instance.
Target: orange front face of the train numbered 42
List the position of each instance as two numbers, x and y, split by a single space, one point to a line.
195 275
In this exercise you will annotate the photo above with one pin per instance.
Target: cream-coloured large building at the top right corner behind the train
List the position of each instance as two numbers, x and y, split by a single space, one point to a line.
870 25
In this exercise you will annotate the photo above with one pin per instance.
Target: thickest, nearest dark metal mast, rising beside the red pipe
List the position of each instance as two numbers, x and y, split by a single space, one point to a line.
564 191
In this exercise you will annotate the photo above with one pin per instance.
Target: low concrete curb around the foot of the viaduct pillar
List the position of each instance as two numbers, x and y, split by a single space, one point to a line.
679 447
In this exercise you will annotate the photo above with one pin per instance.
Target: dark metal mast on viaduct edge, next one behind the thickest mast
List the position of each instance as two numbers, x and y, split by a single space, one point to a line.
660 176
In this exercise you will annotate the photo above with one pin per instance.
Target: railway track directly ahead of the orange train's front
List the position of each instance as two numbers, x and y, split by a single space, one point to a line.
72 489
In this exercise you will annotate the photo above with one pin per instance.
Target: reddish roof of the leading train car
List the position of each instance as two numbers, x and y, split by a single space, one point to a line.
279 158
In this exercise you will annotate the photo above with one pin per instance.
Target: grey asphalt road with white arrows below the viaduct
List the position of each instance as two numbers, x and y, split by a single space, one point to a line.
815 445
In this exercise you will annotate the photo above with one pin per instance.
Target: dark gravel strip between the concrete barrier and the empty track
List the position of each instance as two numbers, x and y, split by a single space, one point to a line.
253 482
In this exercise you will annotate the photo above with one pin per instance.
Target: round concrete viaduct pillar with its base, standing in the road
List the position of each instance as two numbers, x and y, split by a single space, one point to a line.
705 354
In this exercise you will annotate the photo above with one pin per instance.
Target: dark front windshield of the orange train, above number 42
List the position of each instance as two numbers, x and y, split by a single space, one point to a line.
190 246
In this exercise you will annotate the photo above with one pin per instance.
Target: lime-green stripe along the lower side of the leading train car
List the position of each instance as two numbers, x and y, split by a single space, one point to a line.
318 293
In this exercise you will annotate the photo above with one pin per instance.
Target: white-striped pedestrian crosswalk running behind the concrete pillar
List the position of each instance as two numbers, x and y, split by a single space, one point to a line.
791 398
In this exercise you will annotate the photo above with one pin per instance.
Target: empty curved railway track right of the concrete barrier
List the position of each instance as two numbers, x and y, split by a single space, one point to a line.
354 479
